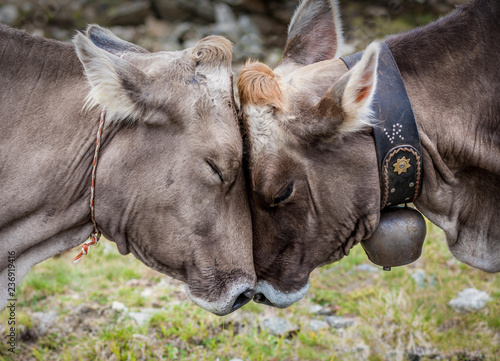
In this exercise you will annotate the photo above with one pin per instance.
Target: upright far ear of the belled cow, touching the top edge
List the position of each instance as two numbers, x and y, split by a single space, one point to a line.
315 33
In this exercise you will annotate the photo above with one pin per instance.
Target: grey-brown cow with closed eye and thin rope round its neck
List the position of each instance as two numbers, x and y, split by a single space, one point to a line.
169 183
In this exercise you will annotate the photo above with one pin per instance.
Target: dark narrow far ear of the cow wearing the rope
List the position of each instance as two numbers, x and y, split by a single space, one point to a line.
106 40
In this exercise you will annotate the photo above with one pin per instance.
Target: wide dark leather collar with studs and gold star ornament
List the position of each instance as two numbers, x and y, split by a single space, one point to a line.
395 131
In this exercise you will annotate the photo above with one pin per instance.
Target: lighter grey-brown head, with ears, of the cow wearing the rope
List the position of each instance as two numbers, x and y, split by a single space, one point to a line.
169 185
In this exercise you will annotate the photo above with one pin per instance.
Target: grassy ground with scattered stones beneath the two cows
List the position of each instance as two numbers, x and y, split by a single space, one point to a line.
395 319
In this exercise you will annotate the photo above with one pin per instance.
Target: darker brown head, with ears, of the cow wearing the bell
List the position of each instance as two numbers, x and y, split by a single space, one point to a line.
312 169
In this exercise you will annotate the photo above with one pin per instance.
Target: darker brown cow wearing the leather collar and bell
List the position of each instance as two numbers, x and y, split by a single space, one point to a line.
312 163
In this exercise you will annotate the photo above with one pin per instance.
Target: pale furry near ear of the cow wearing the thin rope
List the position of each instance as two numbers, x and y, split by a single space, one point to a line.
115 83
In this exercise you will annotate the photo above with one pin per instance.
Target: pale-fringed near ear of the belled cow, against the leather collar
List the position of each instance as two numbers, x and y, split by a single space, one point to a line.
347 105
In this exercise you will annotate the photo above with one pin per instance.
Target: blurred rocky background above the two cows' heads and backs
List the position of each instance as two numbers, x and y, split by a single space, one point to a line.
256 27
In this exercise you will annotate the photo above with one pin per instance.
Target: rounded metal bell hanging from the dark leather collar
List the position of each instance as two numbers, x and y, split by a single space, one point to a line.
398 239
